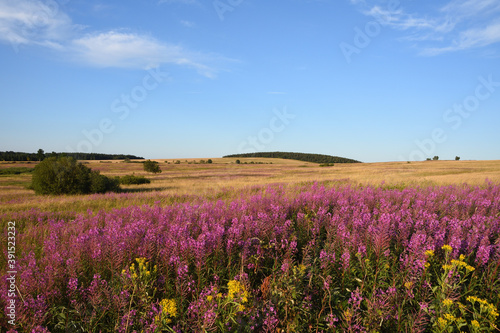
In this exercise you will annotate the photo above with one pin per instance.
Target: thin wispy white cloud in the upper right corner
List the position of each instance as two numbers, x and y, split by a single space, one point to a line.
457 25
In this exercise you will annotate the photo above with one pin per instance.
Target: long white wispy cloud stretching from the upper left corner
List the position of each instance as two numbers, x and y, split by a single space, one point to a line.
32 22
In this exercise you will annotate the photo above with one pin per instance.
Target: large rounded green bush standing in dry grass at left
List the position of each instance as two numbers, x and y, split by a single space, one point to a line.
65 175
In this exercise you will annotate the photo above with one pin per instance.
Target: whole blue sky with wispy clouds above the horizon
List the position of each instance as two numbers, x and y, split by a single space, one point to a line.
371 80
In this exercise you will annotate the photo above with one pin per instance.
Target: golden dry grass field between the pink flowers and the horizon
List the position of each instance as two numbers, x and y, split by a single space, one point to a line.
180 182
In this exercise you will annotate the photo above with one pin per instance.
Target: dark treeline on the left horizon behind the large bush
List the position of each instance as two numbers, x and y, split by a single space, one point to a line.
40 155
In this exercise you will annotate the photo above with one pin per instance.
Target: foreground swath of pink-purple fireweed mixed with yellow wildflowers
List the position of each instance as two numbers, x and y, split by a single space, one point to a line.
308 259
